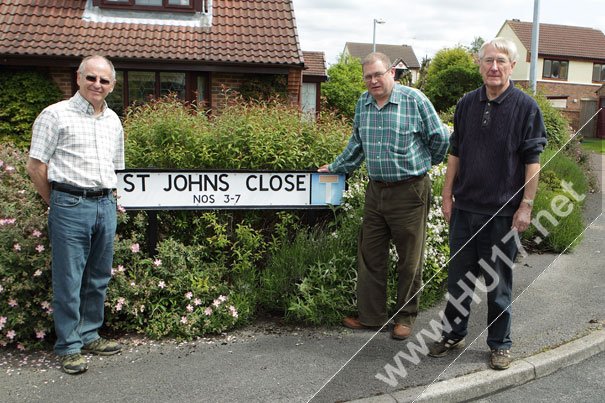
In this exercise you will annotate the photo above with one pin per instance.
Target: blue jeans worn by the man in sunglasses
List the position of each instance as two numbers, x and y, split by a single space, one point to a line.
82 232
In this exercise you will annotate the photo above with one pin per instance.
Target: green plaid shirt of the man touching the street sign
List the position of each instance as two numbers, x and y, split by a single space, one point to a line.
402 139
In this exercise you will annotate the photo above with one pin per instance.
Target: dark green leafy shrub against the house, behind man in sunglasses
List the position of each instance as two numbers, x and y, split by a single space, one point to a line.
23 95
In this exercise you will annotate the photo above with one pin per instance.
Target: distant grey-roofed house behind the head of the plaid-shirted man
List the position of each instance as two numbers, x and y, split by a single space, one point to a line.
402 57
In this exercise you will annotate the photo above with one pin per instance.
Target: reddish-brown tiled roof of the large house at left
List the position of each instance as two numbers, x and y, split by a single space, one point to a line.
242 32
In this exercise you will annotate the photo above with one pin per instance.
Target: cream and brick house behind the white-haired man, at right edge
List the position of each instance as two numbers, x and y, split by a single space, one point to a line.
570 70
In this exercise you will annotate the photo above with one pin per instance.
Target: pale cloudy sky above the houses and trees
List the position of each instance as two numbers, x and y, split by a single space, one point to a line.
427 25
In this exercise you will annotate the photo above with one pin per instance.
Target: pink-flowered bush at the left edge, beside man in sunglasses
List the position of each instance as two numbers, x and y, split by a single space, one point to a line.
25 274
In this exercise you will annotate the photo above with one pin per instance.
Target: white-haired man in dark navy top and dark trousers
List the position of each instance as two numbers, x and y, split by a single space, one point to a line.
490 184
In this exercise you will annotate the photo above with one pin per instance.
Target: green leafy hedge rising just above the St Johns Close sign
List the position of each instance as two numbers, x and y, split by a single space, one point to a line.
246 135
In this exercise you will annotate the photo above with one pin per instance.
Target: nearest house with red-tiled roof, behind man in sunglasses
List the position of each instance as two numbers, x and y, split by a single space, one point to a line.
194 48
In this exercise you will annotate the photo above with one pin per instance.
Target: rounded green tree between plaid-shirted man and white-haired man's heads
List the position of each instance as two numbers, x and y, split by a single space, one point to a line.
451 74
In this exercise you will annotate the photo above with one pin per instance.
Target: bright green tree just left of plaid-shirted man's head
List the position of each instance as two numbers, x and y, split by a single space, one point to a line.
344 86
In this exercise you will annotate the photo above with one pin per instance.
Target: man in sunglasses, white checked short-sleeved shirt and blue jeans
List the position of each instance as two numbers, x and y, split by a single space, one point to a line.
77 145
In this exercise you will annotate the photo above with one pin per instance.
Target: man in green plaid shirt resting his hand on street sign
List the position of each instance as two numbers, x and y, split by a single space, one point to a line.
397 132
